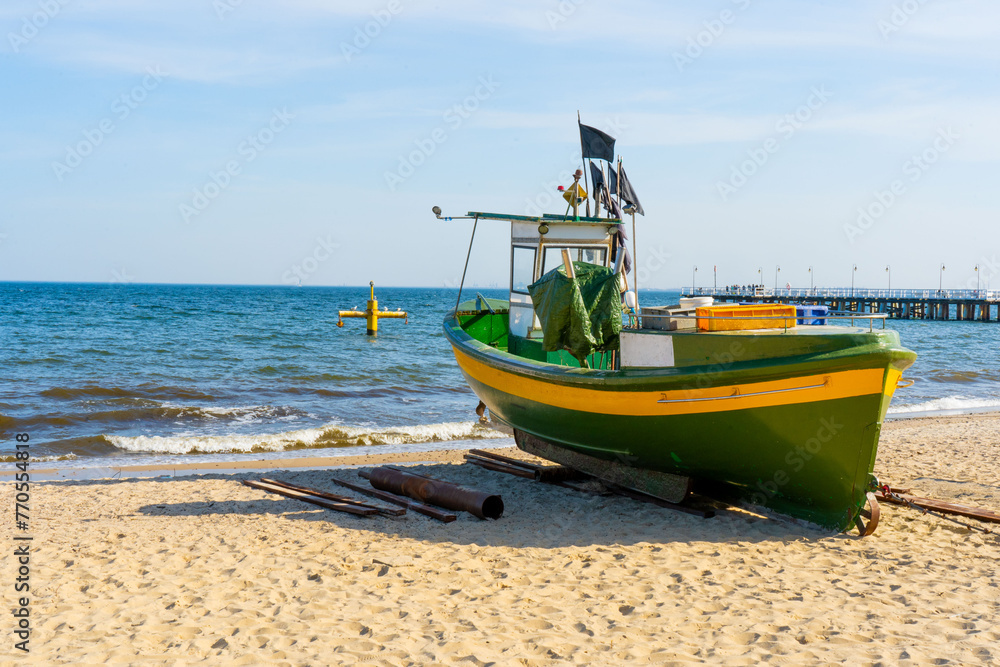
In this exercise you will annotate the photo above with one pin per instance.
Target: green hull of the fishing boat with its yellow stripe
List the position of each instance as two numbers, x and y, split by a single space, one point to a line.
797 433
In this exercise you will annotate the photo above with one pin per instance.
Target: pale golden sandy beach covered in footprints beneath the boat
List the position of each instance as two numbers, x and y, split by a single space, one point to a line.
200 568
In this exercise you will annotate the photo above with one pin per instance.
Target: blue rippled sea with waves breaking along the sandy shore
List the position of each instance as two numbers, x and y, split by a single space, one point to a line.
105 375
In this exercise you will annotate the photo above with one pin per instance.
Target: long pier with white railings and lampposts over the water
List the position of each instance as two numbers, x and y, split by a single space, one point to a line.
968 305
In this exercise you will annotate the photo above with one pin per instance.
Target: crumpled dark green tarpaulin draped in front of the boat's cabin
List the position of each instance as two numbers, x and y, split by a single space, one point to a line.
581 316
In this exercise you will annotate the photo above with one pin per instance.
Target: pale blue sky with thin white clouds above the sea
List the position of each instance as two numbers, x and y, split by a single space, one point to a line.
253 142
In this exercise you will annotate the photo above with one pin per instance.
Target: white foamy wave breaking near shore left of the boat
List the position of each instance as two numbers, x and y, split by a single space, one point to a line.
322 437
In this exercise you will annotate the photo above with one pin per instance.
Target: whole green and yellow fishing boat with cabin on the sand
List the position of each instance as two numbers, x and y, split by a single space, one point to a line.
756 403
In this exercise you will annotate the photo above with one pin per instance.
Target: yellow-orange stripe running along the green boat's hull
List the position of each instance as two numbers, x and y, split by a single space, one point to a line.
802 389
